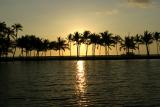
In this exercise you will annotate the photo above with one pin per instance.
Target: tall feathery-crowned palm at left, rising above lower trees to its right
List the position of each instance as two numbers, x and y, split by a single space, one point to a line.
16 27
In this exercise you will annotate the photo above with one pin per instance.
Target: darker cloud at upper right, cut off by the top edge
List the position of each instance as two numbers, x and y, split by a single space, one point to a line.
140 3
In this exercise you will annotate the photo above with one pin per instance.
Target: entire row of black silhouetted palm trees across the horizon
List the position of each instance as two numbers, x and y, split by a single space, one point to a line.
9 42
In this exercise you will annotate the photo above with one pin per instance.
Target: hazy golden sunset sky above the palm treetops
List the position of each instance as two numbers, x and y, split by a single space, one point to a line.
53 18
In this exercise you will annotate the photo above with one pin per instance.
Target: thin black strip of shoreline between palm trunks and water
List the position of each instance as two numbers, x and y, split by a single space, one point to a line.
111 57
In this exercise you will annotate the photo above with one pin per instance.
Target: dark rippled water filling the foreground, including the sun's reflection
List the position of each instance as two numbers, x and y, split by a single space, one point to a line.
80 83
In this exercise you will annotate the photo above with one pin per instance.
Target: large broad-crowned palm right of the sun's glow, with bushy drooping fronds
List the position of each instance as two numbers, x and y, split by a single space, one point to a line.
107 40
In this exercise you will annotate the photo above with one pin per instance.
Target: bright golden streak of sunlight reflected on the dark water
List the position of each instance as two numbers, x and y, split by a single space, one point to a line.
81 84
